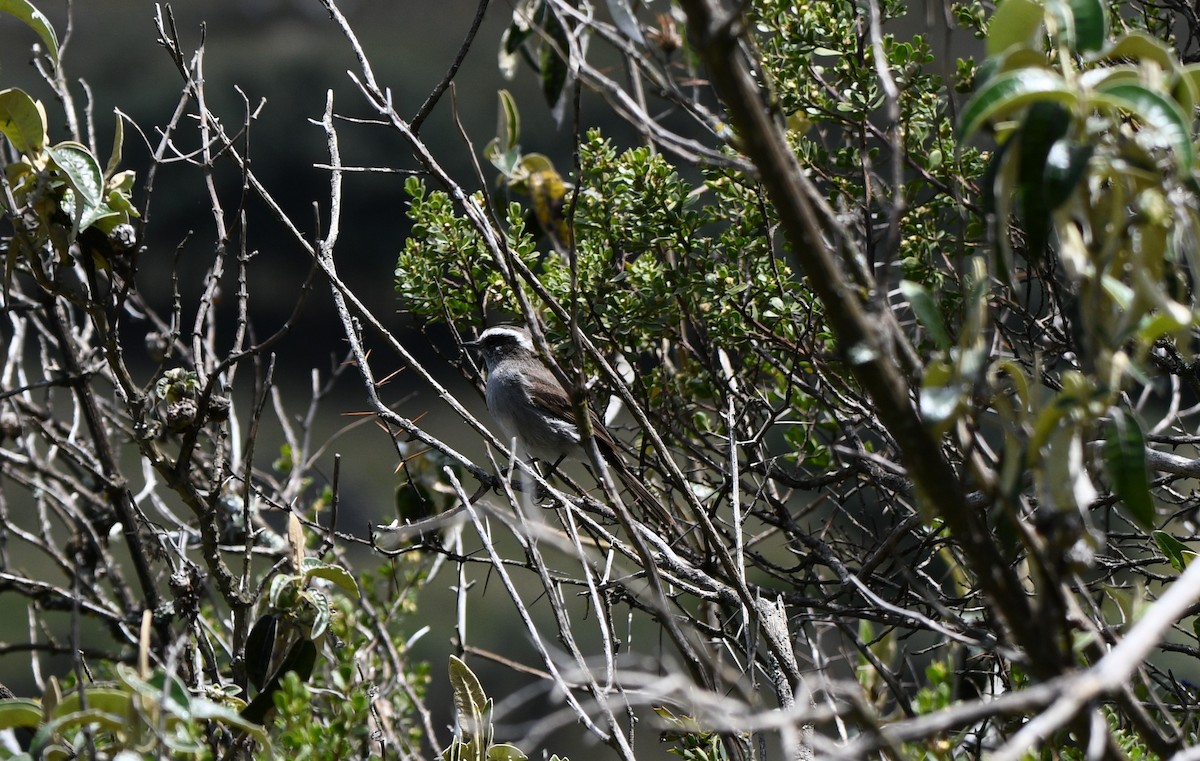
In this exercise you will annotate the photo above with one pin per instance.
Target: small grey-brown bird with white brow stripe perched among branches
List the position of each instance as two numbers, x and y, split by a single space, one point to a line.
530 404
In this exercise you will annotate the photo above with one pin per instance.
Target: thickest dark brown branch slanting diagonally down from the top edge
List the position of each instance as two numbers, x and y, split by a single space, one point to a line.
868 350
